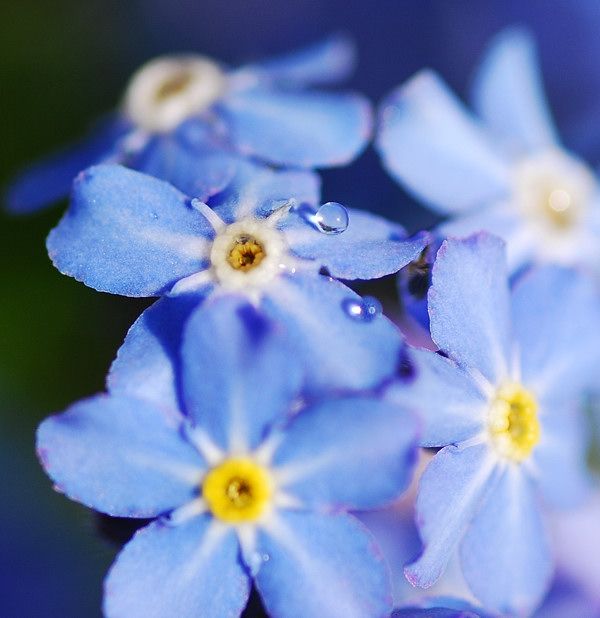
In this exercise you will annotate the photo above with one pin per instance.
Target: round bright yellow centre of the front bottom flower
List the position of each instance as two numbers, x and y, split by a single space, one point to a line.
237 490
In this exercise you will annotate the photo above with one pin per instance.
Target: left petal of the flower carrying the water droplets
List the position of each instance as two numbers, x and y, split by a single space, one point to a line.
127 233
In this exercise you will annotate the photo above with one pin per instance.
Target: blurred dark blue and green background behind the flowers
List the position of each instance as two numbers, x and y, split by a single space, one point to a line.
65 62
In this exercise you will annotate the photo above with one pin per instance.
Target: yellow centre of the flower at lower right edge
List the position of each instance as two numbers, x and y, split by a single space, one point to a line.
513 424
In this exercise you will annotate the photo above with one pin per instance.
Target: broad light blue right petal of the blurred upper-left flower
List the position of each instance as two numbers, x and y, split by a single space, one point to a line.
303 129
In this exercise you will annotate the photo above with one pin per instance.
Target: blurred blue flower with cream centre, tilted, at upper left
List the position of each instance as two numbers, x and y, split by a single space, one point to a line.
188 120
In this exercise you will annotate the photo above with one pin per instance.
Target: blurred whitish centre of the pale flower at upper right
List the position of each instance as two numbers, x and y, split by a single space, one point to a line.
553 190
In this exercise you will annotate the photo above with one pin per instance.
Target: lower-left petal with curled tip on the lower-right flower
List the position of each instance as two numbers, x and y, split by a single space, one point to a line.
451 491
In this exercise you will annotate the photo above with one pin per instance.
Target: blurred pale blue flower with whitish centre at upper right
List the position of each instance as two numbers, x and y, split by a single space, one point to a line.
504 171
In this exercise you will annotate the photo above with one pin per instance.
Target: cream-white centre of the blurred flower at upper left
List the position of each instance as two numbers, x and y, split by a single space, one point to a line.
168 90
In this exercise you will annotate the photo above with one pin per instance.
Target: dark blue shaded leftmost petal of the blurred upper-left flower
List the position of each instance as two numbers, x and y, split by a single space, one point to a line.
50 179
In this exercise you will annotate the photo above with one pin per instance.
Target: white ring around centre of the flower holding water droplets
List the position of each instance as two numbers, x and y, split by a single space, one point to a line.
274 252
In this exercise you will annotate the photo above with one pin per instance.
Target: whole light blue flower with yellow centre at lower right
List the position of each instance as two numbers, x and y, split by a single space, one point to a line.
502 401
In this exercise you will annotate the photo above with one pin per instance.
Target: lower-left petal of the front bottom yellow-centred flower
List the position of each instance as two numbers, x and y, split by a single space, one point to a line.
186 571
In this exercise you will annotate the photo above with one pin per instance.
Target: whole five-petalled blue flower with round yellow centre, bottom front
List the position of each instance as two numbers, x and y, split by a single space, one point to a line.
246 481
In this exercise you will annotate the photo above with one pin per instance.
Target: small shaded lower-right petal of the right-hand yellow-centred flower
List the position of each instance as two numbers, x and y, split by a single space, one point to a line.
559 459
